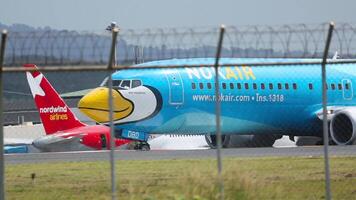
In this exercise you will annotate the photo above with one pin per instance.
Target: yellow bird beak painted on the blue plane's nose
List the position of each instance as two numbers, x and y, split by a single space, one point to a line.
95 105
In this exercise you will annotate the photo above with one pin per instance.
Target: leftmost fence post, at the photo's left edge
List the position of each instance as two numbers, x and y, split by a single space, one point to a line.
2 157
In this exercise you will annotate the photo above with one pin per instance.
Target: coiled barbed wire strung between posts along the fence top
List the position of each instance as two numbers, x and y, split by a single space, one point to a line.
54 47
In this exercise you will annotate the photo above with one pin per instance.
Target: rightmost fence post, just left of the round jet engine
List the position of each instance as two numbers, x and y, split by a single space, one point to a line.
325 120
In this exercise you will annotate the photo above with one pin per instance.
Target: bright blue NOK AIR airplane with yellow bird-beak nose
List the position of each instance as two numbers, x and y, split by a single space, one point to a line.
258 104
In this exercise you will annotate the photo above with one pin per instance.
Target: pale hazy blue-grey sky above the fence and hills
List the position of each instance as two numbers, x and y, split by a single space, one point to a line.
140 14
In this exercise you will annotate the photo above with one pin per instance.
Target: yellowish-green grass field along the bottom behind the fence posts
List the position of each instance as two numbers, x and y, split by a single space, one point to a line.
244 178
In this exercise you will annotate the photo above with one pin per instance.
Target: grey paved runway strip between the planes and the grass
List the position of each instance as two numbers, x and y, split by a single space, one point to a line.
177 154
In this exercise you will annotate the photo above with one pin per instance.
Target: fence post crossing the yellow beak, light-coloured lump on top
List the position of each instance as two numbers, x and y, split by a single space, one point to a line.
112 134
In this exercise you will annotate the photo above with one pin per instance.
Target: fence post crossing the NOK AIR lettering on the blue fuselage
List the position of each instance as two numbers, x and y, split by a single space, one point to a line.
218 112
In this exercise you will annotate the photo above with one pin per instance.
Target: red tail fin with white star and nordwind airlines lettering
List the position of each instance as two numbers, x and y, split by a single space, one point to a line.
54 112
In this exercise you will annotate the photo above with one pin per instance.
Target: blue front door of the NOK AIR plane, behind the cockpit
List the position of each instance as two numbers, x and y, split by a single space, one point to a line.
175 85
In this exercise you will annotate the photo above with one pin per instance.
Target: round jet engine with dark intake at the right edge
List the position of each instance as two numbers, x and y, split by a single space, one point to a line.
343 127
